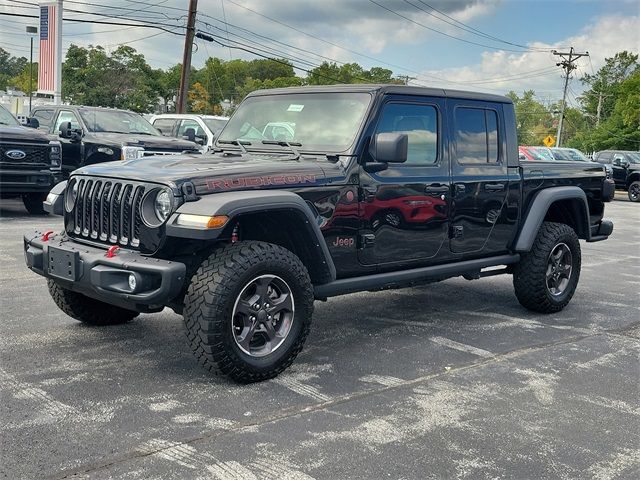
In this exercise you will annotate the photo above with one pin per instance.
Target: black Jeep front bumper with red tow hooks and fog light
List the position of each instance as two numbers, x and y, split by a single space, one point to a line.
86 269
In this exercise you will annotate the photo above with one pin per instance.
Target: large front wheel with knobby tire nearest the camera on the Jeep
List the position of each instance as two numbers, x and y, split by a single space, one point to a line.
227 302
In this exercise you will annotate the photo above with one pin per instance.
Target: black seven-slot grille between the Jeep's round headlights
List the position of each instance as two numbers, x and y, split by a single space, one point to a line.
108 210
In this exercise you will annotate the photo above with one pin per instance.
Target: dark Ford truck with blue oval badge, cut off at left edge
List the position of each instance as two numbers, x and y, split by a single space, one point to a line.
29 162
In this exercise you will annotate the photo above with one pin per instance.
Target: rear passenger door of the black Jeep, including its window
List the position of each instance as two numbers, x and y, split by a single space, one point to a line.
479 177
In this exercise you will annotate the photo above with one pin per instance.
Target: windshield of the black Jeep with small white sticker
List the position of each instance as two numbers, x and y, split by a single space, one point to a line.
315 121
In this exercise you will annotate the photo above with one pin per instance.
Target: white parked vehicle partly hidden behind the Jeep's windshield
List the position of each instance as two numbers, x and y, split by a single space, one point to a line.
202 129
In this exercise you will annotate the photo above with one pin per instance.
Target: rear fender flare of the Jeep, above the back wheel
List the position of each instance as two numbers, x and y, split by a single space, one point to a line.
539 208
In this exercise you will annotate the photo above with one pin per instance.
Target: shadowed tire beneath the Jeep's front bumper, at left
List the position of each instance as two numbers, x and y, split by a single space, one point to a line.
88 310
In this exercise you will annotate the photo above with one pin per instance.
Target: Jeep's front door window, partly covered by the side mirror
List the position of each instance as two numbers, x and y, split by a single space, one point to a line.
420 123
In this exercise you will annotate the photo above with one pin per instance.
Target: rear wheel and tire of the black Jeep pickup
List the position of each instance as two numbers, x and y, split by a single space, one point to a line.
542 280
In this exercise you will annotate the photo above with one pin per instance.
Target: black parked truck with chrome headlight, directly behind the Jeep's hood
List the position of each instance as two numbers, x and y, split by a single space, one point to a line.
92 135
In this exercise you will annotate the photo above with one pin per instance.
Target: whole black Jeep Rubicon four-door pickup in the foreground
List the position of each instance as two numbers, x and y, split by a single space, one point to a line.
368 187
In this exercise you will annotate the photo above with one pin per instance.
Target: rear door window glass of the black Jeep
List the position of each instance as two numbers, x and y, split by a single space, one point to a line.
476 135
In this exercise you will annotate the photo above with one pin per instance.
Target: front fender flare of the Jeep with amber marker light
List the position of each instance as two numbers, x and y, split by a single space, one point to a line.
233 204
